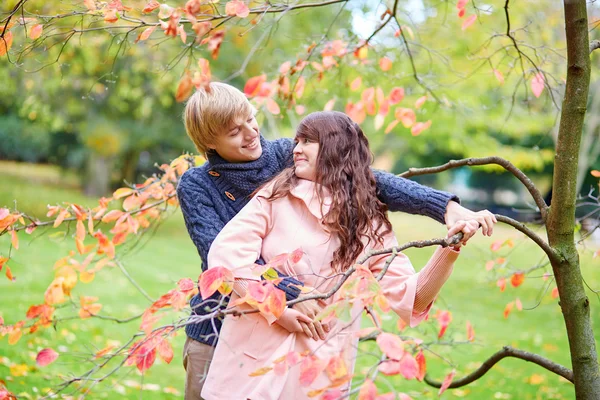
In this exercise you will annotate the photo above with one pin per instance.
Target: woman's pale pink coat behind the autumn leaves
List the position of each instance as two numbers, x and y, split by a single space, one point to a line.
250 342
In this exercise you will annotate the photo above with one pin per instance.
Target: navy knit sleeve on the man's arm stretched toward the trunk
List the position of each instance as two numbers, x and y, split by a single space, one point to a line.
404 195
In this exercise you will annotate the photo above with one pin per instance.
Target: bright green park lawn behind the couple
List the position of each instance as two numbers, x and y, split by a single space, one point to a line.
167 255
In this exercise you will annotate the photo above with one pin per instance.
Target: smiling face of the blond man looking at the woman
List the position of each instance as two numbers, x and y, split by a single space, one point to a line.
240 141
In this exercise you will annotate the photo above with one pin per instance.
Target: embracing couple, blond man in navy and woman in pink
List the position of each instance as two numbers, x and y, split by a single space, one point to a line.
318 194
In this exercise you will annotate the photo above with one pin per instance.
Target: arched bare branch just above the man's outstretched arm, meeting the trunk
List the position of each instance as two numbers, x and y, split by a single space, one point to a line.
507 165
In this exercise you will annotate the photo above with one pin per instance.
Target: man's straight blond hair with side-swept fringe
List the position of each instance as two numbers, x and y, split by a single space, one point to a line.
210 111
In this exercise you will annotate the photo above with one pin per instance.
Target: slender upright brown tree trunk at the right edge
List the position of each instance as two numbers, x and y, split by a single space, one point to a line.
574 303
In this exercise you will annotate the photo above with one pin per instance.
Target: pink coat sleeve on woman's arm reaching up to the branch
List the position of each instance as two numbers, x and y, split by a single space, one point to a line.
399 284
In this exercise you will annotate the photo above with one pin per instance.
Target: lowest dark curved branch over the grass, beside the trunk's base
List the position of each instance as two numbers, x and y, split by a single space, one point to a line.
507 351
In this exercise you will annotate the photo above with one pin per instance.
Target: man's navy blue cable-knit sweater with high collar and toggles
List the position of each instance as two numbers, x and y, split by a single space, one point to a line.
212 194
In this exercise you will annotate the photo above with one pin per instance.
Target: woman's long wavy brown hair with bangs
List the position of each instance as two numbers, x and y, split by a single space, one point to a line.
343 169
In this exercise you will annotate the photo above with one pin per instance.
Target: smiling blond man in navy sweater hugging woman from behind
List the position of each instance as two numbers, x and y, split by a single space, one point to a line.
220 121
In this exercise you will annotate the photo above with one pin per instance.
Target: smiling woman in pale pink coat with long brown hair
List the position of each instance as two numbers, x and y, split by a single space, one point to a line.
326 205
